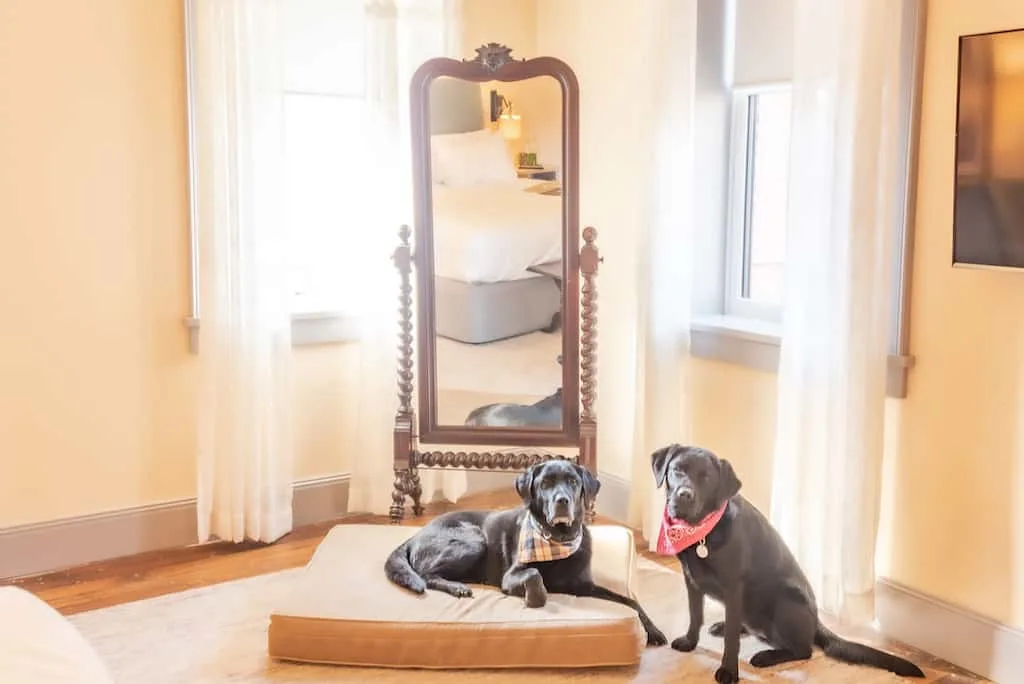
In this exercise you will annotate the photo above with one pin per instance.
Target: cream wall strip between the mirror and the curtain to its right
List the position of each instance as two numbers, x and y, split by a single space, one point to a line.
575 32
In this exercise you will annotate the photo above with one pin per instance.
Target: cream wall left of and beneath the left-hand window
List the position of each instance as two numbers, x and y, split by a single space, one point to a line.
98 391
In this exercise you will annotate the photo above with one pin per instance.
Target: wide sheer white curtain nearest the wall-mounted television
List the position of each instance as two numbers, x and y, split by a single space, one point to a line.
826 488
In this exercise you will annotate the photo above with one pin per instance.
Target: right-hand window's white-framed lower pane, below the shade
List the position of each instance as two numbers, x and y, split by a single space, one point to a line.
760 170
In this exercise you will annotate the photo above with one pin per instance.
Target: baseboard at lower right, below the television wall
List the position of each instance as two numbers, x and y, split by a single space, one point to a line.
954 634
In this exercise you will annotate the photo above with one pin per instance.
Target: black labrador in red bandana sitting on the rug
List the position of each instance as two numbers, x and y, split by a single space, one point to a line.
730 551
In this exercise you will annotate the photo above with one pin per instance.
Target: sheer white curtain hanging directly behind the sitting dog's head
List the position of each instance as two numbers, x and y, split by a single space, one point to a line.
665 264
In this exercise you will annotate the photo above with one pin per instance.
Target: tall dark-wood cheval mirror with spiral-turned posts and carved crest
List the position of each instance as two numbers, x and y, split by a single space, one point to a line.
505 360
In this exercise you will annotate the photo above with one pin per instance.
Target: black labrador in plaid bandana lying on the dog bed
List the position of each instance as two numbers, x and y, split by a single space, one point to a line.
541 547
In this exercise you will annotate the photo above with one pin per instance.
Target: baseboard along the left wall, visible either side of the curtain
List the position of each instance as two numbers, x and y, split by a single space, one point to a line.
56 545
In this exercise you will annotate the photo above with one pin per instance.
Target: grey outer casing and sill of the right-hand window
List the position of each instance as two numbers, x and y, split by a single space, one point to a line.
750 343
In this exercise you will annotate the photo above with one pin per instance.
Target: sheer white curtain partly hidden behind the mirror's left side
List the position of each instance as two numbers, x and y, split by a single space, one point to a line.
401 36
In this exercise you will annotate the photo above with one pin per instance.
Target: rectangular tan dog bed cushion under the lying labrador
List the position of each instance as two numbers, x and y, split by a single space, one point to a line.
345 612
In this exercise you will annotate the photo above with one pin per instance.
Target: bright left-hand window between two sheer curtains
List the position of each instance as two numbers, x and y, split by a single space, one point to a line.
323 118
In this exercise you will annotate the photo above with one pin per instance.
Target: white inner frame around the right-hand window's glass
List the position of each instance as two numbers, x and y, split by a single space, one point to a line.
740 206
